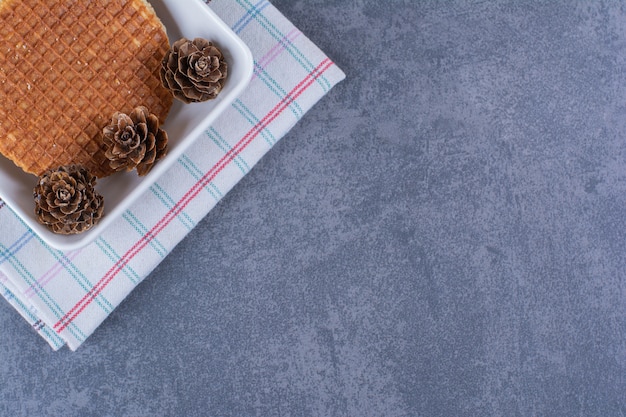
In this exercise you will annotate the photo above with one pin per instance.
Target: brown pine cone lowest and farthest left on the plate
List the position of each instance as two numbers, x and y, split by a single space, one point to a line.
66 201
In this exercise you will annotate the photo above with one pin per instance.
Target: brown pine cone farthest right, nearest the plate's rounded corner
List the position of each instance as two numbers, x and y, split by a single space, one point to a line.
194 70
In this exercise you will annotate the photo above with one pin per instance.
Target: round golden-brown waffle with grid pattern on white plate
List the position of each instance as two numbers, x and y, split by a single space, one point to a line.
65 67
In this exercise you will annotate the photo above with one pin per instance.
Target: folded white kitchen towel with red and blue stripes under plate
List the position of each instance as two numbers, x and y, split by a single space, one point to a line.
66 295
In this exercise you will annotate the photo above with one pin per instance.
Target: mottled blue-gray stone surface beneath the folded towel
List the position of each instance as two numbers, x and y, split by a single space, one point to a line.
443 235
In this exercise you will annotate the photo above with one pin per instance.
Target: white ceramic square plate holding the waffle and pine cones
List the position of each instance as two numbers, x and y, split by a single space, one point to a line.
185 123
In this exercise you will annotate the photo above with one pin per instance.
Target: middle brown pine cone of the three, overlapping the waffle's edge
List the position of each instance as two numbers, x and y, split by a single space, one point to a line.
134 141
